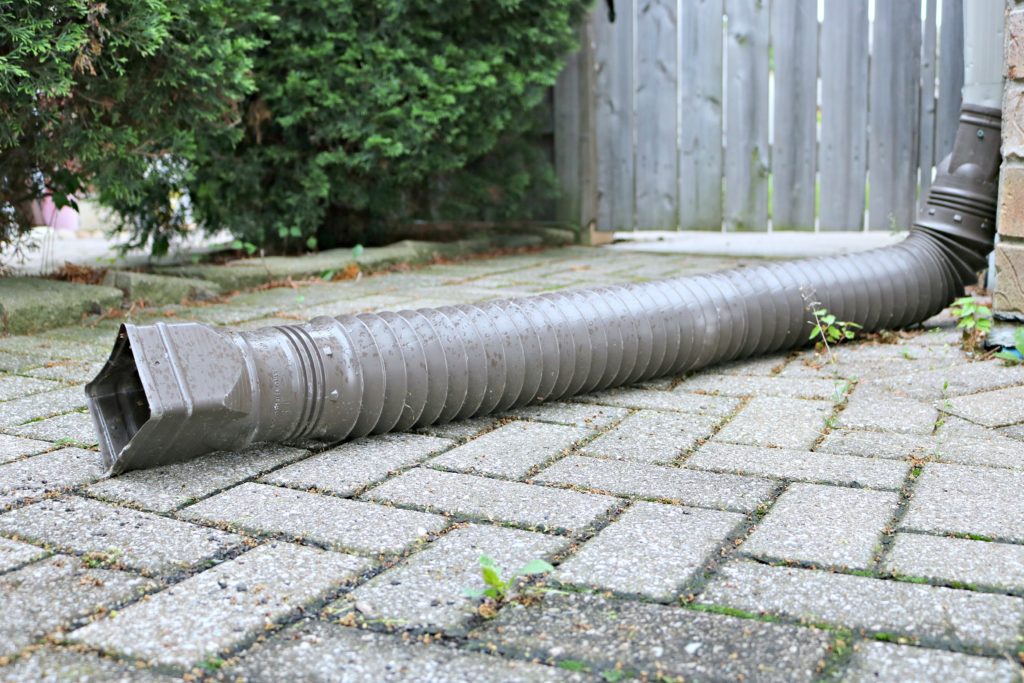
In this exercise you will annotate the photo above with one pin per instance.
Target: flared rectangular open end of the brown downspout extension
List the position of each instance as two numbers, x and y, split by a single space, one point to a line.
168 394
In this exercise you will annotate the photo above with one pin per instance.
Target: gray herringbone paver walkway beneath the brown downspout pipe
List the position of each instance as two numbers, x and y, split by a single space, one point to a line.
780 520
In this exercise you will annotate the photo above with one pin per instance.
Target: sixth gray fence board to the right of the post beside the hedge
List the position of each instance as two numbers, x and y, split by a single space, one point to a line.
844 115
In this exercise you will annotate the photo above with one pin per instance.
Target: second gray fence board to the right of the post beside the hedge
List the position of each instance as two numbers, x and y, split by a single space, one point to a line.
658 159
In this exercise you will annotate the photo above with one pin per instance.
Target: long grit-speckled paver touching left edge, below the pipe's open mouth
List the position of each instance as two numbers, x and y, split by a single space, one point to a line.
136 540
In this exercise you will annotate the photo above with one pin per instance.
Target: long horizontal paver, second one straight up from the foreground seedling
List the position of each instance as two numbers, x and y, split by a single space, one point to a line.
534 507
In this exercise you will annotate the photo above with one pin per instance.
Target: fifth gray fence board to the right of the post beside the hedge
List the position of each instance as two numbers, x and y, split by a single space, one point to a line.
794 152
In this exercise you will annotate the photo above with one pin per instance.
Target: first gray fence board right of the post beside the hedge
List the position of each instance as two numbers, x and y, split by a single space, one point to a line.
614 46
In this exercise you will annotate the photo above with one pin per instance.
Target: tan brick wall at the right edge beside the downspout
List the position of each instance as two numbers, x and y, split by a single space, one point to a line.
1010 252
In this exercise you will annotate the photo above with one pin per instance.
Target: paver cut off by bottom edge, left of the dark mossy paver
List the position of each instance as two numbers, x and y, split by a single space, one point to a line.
331 654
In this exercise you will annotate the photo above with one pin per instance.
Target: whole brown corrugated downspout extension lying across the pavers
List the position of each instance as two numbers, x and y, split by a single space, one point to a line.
170 393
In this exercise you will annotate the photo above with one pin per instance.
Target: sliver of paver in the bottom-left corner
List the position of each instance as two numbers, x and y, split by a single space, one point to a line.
56 666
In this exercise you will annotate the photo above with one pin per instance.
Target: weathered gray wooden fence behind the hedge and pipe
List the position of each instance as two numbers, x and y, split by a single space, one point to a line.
750 115
